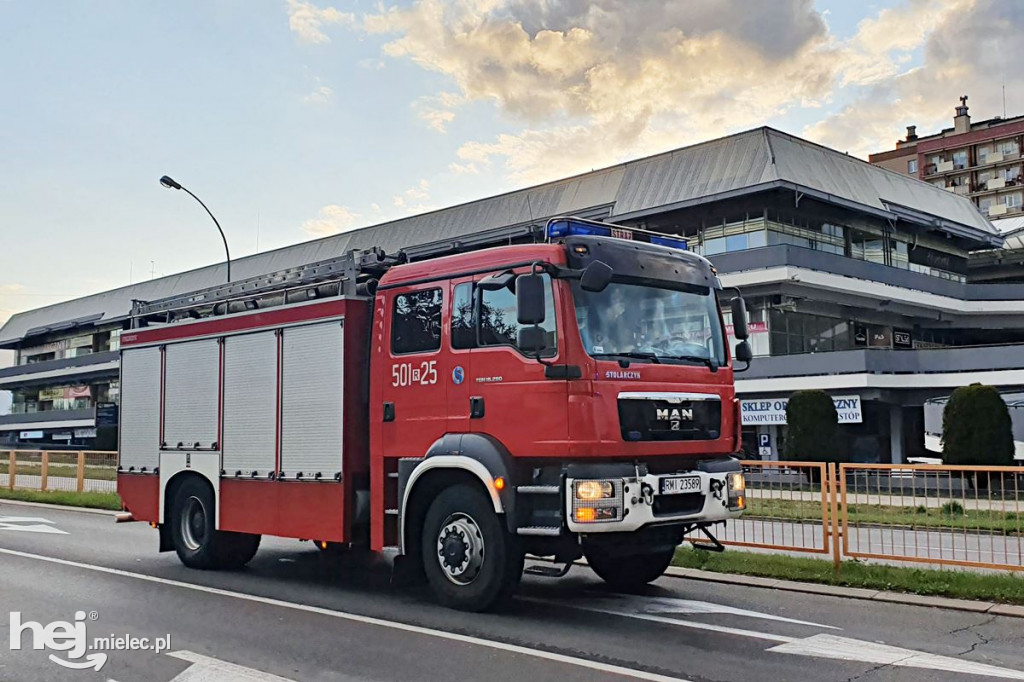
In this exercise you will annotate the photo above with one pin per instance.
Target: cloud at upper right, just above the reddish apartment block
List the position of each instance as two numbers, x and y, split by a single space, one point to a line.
969 52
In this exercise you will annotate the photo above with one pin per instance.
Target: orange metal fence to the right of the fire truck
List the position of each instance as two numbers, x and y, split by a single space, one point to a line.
941 516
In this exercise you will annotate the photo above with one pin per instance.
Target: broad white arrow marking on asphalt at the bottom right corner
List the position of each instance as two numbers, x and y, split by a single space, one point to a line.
831 647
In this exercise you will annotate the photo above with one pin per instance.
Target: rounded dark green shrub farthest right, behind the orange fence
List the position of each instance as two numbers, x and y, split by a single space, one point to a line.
976 429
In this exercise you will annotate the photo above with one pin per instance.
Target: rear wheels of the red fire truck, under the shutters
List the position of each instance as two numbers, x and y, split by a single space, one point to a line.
198 543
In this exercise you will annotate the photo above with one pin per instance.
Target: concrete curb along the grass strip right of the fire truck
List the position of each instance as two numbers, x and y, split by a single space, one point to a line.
849 592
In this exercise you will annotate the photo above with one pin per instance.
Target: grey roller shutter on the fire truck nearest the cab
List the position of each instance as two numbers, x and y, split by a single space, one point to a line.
312 410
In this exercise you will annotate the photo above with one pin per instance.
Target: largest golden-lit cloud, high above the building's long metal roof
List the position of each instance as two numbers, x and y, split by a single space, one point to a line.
594 82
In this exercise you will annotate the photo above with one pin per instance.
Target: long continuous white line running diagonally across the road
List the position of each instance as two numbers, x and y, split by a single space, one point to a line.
366 620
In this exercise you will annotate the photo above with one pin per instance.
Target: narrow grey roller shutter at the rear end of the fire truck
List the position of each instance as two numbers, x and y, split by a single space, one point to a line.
140 421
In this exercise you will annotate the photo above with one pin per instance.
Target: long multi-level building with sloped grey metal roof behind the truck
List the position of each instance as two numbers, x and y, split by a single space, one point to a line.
851 272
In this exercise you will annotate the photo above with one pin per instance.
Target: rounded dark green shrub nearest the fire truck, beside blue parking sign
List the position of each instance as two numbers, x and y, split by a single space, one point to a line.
813 434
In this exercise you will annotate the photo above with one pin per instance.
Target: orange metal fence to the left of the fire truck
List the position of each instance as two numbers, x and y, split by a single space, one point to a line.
84 472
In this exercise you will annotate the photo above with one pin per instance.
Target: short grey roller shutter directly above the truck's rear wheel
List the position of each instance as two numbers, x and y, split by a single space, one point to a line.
192 386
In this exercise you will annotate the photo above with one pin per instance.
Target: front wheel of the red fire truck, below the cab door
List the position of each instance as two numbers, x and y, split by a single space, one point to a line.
490 559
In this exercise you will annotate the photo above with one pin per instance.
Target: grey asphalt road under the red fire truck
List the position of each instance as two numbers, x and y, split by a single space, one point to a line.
298 615
